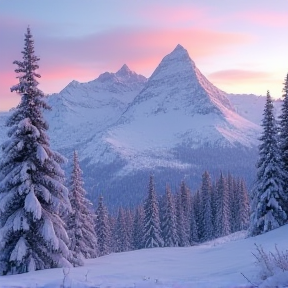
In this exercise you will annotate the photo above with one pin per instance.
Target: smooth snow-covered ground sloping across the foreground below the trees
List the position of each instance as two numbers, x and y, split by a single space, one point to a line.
218 263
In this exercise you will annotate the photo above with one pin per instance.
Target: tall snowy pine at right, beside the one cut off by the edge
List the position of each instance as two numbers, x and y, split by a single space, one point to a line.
267 210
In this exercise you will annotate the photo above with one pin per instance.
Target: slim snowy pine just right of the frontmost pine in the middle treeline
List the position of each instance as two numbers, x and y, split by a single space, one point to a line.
169 230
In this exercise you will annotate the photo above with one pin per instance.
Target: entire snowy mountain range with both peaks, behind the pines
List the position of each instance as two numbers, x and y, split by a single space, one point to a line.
176 124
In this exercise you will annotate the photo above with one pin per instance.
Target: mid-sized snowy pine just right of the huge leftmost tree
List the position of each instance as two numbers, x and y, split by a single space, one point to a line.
80 222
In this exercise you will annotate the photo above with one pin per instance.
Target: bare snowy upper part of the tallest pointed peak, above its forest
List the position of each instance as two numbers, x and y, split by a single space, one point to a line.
177 106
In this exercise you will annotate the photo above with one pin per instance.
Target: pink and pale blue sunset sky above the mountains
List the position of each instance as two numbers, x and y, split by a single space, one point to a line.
240 46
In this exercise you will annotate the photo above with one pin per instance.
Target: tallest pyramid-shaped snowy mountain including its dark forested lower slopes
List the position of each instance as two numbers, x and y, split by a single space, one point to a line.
176 127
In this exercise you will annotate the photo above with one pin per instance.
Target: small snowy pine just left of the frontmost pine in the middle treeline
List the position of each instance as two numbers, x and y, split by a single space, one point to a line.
138 227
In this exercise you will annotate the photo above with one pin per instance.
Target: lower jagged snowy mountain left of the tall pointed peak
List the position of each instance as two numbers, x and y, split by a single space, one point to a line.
83 109
